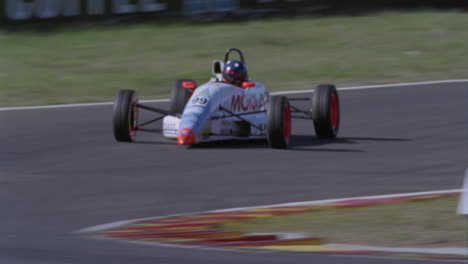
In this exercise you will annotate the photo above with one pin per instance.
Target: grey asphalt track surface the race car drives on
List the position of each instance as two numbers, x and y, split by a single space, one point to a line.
61 170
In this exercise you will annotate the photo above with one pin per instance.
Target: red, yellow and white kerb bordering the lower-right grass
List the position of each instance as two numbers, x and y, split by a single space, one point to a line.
203 229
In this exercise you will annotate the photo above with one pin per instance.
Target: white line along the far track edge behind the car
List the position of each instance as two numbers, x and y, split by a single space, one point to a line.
380 86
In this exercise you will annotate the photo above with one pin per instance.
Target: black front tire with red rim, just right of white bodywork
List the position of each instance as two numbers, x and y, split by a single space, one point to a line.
278 122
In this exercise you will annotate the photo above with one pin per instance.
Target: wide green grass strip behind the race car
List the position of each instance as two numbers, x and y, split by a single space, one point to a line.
91 64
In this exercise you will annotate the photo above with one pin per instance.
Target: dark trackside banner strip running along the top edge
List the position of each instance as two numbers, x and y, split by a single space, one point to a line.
25 11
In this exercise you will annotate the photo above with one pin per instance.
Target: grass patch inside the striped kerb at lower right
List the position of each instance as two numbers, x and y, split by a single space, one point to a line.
429 223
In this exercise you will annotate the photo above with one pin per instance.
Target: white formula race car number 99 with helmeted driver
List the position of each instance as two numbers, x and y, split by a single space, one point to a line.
227 108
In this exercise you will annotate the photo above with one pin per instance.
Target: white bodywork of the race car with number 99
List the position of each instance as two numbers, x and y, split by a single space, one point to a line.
203 114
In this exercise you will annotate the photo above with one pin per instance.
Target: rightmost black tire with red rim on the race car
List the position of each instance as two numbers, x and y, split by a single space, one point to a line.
326 111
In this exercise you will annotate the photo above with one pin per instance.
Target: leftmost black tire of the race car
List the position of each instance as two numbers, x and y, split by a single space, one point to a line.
125 116
